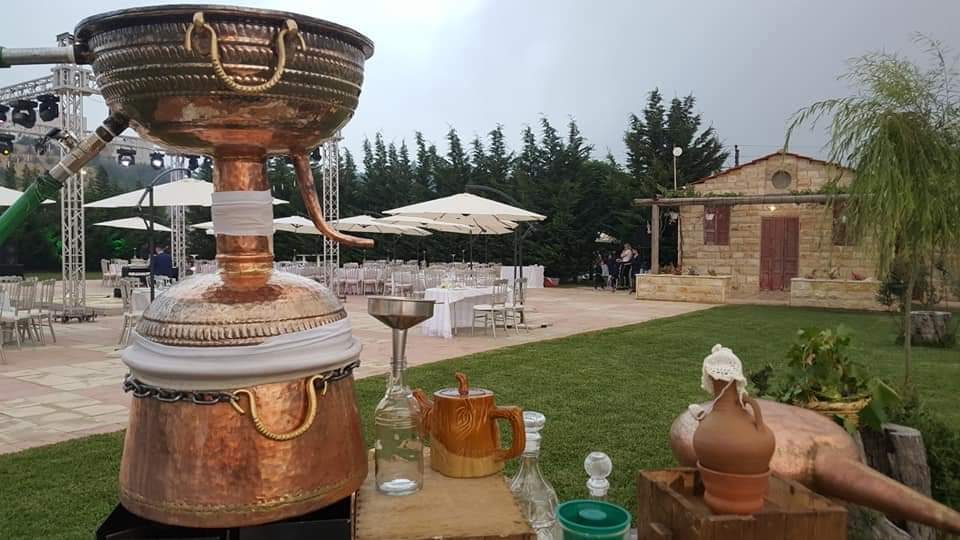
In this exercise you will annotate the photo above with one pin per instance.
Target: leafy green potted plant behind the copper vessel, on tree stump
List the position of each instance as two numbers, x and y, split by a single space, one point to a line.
820 376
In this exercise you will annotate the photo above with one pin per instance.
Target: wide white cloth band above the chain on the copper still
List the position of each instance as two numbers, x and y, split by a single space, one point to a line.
279 358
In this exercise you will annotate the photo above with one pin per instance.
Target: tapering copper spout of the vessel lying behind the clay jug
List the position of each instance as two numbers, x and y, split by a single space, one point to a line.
855 482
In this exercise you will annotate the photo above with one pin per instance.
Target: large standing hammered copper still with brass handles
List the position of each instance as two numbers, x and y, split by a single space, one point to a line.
240 85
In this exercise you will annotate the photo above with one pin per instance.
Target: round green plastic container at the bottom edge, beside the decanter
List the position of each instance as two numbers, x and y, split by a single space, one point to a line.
593 520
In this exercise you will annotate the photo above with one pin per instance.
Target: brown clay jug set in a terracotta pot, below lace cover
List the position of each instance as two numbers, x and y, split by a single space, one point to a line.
733 450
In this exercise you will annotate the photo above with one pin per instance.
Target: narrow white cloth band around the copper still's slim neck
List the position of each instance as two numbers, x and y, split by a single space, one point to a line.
242 213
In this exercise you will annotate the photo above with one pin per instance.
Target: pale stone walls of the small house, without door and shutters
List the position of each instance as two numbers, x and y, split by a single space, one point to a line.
741 258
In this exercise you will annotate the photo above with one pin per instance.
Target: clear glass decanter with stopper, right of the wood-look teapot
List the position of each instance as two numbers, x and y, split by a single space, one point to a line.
537 498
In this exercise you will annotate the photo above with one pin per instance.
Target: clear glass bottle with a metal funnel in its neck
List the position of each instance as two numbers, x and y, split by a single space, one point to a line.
398 450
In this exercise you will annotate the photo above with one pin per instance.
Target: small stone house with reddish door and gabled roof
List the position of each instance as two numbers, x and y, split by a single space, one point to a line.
763 246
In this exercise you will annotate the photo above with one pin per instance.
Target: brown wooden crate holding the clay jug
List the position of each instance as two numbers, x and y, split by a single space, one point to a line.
670 506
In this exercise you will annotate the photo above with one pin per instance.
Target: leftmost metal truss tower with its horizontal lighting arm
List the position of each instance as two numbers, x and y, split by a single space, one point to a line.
71 83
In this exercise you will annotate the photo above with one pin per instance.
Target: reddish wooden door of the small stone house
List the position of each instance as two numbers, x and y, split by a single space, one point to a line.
779 252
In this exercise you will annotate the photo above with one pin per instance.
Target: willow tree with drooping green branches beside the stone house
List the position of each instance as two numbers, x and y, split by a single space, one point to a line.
900 131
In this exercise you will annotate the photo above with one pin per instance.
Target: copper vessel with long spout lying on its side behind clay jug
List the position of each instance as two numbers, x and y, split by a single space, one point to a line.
818 453
